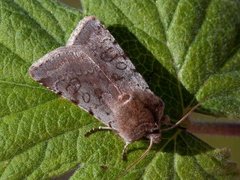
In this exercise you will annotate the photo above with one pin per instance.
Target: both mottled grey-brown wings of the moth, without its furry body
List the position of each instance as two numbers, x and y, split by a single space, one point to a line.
89 68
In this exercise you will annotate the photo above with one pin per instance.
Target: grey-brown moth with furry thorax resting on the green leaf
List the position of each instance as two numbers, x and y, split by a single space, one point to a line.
93 72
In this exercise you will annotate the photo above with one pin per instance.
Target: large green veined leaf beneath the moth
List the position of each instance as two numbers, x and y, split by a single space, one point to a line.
186 50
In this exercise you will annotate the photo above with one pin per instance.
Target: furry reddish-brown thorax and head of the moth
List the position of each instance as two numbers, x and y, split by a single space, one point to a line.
134 119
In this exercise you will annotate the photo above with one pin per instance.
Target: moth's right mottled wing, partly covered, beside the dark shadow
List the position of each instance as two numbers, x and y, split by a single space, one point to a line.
106 52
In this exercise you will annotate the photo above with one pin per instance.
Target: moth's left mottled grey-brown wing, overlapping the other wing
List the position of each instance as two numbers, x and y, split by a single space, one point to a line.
71 72
